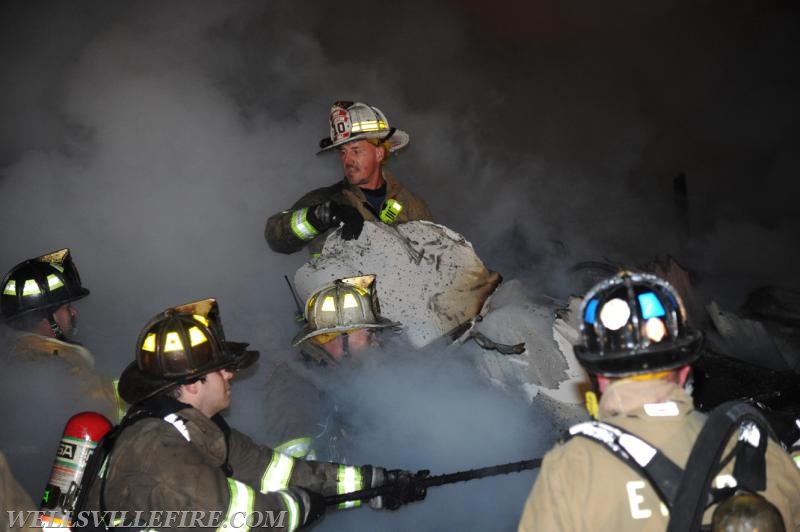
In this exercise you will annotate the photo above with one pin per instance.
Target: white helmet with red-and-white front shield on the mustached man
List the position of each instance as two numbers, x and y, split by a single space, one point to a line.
358 121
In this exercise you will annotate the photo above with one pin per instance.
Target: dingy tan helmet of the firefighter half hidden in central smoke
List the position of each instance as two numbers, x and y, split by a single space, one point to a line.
341 306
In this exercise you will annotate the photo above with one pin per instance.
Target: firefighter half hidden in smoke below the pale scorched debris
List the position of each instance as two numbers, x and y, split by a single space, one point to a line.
343 325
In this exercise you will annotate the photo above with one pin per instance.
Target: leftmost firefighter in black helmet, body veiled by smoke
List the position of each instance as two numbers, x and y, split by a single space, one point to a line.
48 372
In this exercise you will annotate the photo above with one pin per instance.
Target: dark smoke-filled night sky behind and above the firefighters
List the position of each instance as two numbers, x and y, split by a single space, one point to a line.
153 138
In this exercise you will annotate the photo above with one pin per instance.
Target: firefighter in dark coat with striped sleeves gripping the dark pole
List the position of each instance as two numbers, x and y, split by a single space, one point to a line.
174 451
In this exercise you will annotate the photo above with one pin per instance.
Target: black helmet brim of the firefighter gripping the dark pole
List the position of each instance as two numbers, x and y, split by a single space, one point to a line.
136 385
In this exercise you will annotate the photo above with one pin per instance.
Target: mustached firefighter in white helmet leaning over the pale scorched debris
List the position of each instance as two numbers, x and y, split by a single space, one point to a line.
368 191
